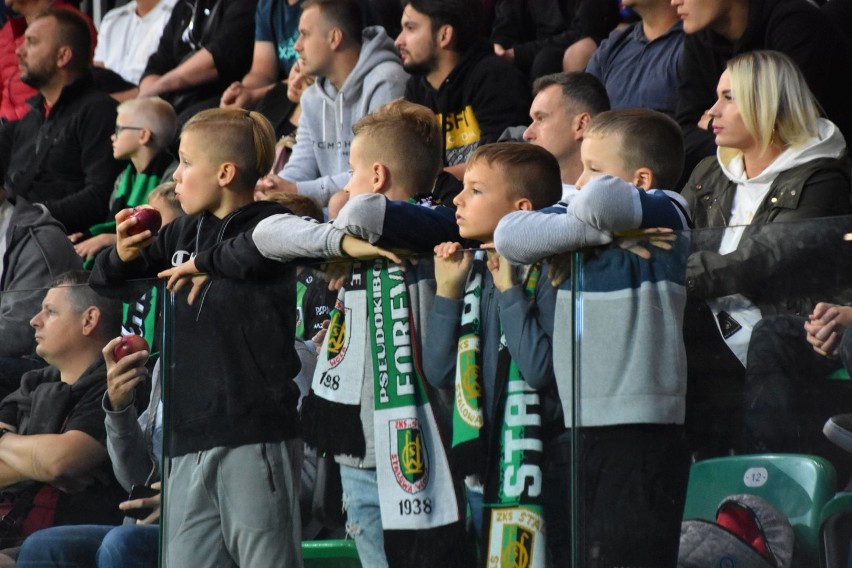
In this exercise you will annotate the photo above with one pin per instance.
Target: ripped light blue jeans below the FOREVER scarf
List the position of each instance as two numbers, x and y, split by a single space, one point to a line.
364 518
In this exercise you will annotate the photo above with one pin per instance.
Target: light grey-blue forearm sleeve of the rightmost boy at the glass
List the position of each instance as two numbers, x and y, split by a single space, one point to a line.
524 237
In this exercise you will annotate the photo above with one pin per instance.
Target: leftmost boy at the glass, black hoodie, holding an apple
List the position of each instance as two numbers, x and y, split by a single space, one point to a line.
233 440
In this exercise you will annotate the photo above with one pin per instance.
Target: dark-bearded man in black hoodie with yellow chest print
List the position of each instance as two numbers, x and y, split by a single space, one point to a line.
455 72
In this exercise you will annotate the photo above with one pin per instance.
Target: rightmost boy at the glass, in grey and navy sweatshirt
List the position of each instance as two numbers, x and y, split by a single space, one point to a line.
634 456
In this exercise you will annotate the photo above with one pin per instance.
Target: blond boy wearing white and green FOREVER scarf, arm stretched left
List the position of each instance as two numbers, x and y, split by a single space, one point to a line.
367 392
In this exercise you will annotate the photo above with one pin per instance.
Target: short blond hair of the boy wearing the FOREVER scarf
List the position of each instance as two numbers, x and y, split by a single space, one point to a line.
406 138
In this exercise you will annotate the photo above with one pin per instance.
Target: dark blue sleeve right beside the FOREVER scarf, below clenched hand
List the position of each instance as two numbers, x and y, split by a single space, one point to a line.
439 353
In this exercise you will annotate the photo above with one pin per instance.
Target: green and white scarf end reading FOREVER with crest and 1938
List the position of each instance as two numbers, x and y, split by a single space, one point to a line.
411 467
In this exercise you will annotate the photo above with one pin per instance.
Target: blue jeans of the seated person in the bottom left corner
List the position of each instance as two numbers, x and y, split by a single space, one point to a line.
84 546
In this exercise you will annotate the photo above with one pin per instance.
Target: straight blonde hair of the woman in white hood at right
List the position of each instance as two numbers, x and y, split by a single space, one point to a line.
773 98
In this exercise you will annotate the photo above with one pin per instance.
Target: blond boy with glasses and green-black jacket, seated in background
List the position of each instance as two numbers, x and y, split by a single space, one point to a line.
144 129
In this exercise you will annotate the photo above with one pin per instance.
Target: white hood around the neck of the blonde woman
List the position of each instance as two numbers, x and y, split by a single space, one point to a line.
828 144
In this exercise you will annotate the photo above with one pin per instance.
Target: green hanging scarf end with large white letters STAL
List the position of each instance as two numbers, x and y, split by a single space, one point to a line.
513 489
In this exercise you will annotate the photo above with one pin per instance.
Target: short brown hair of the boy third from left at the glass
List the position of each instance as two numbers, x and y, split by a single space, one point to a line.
531 171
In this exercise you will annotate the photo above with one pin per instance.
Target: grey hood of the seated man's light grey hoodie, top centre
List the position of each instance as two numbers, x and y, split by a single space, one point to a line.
376 48
